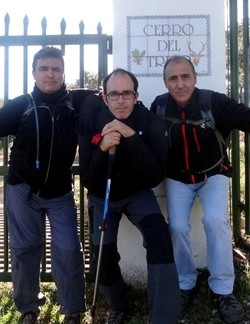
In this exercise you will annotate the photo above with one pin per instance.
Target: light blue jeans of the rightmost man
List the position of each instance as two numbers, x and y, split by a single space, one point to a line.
213 195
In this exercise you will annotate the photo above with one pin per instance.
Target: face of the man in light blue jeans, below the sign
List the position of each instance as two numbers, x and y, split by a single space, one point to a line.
180 81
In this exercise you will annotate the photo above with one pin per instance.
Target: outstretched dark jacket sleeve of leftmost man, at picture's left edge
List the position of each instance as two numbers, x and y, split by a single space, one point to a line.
11 114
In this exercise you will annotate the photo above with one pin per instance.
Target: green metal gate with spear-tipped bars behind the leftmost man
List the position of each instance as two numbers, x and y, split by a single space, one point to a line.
27 42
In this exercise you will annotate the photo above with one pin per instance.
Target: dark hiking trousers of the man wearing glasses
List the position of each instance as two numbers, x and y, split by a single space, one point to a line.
144 212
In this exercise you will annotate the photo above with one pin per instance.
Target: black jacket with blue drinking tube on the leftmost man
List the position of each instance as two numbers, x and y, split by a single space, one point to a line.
53 142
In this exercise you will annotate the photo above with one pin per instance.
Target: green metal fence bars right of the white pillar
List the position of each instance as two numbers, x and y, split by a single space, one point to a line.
238 72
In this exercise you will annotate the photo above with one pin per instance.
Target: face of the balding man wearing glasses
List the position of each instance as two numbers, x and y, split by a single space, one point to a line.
120 108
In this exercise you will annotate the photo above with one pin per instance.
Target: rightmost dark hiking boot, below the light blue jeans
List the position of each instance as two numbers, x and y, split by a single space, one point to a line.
230 309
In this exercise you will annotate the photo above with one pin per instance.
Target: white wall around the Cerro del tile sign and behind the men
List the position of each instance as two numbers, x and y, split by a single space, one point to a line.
133 262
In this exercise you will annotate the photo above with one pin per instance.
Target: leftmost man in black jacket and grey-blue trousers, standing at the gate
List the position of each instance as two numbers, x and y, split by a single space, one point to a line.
39 184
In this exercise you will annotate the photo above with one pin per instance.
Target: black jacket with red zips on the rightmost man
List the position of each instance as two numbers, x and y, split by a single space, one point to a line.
193 149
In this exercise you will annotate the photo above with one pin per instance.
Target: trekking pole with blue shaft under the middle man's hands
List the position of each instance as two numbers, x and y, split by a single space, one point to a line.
103 228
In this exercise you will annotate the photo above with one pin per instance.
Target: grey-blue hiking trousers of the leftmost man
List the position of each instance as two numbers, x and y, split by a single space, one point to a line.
26 223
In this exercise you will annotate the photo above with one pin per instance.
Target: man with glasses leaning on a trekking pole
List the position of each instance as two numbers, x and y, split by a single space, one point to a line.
117 119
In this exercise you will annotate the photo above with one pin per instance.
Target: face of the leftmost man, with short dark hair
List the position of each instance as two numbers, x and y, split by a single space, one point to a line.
49 74
